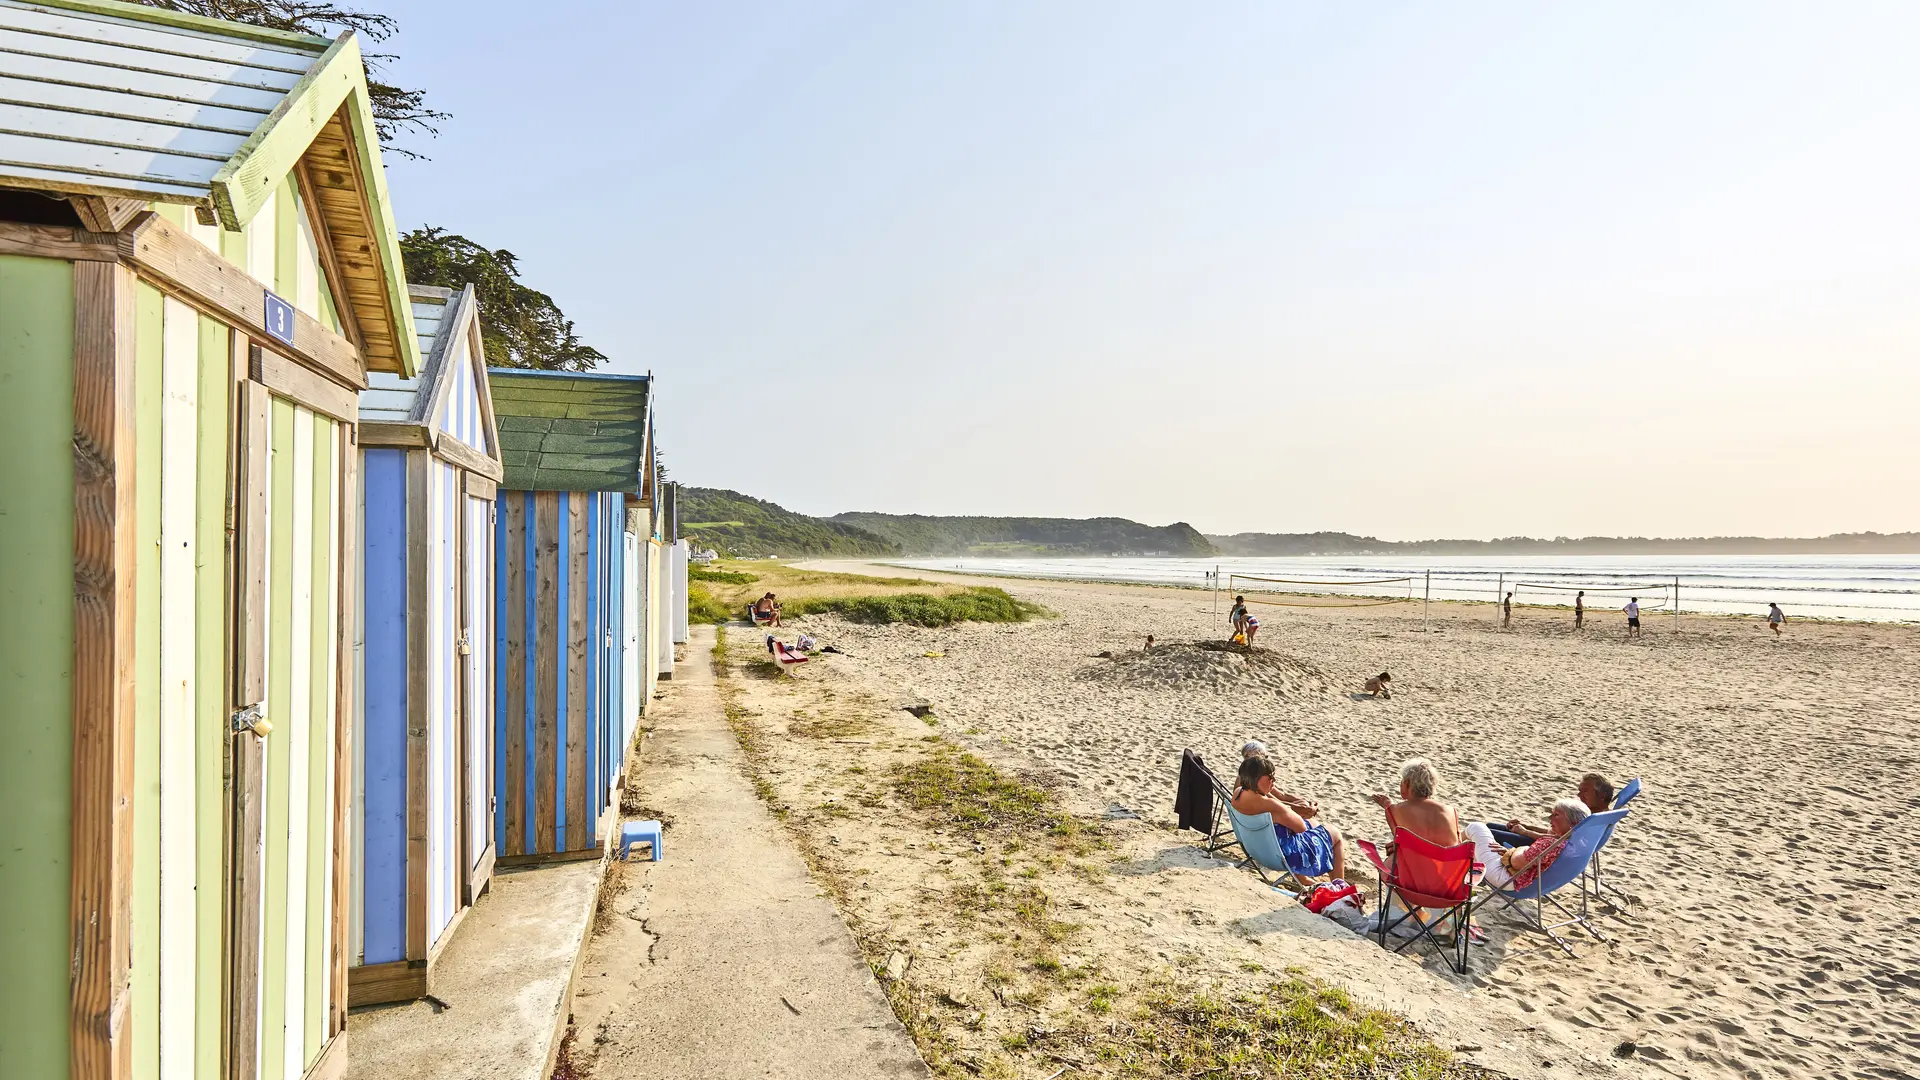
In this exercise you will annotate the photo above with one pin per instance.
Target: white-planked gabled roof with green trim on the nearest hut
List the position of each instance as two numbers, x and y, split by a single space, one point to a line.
120 105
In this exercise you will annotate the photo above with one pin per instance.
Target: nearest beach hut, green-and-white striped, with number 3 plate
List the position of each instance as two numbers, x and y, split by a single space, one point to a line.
199 272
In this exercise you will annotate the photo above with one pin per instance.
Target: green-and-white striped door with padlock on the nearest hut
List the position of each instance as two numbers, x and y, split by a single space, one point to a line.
293 685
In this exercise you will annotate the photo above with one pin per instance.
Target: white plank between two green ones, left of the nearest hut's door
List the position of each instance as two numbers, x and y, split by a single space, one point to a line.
180 420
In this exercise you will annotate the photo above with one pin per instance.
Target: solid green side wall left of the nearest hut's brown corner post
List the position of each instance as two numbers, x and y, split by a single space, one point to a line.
36 662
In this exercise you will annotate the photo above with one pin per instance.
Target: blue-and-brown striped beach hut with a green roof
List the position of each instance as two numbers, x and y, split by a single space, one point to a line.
579 458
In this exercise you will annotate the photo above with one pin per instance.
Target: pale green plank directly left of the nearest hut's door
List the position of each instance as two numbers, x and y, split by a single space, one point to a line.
210 689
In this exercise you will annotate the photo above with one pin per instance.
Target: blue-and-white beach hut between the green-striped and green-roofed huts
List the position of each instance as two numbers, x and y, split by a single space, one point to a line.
423 833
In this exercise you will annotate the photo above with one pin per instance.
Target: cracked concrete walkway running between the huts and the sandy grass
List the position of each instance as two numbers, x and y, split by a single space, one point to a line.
725 960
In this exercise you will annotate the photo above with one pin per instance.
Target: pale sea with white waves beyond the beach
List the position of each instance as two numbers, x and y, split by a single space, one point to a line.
1883 589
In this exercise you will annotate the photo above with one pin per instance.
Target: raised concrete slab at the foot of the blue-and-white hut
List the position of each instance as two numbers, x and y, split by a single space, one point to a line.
506 979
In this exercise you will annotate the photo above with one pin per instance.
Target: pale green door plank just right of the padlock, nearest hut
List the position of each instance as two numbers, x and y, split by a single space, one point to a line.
281 712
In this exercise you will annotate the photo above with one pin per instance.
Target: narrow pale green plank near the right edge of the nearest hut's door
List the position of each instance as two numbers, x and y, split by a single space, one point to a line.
325 606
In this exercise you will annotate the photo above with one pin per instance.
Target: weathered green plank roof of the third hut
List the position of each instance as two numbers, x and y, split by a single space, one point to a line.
575 431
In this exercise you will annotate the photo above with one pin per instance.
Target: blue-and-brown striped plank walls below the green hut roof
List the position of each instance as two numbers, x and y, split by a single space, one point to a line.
560 727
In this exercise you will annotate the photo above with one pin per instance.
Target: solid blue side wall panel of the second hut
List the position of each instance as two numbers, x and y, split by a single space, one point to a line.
385 720
